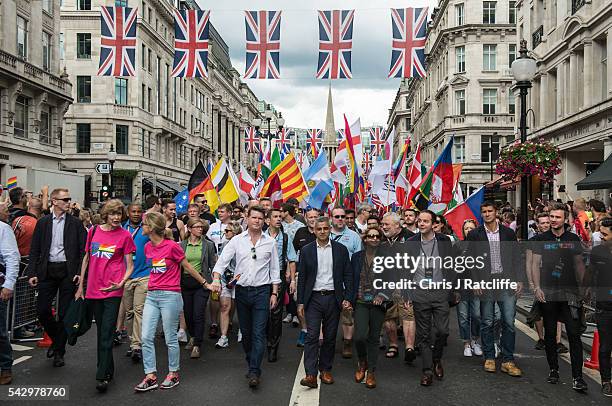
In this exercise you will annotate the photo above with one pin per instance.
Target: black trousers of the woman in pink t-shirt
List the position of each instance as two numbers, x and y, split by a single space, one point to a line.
105 312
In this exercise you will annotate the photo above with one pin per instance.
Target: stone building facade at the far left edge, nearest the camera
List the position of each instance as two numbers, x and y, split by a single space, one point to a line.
34 94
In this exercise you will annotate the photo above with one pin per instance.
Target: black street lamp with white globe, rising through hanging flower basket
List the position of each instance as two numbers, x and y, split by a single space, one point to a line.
523 69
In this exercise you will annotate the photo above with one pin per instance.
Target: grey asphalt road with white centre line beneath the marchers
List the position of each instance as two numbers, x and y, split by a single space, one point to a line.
218 378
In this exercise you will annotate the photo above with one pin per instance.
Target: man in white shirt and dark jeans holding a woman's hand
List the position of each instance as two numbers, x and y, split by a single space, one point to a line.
258 270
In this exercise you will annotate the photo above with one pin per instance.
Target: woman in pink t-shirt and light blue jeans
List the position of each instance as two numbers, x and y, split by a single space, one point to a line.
165 258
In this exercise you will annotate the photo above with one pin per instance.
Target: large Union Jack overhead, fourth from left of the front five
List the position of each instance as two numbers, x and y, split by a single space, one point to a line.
335 44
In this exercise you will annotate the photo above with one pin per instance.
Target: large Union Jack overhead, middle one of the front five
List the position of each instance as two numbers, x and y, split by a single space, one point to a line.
263 44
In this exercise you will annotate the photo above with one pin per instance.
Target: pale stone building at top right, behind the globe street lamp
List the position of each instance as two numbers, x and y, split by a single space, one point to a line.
571 97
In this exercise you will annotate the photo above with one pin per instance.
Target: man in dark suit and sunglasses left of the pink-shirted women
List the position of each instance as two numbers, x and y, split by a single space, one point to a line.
58 247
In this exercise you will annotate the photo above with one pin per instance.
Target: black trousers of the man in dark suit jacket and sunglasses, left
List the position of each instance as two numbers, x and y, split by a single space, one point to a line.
47 290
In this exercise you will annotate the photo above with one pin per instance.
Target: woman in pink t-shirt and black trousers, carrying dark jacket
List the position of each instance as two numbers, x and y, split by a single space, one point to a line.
107 265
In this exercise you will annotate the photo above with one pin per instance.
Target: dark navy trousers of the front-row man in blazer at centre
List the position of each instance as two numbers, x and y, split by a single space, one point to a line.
322 309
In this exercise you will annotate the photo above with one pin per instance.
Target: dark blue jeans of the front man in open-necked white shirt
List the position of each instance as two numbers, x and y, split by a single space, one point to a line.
253 306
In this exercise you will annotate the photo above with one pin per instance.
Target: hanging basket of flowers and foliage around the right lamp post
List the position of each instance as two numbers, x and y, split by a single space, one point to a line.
529 158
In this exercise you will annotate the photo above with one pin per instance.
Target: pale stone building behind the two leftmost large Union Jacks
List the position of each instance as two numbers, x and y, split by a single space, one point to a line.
159 126
